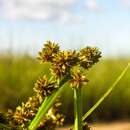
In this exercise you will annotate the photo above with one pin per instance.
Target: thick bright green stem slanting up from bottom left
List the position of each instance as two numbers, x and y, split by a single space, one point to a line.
47 103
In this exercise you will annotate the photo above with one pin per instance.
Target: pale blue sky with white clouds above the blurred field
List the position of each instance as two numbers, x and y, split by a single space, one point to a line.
25 25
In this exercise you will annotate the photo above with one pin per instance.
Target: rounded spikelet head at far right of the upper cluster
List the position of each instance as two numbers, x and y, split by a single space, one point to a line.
89 56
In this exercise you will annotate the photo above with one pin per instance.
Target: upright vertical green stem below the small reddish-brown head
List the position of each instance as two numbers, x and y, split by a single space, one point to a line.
77 109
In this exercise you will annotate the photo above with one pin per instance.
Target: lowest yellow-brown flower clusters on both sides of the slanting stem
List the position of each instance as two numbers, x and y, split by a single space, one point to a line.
26 112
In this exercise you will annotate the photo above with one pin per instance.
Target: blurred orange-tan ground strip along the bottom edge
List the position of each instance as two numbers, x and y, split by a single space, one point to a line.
108 126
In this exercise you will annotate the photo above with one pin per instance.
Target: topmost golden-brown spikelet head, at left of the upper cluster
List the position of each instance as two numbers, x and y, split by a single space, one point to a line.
48 52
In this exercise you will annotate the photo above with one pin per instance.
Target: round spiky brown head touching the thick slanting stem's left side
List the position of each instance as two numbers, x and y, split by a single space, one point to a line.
44 87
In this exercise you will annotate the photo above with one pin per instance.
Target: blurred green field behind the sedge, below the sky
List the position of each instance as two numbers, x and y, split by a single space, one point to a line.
19 73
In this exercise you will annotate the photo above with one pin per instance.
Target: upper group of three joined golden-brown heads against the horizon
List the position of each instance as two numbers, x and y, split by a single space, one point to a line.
63 61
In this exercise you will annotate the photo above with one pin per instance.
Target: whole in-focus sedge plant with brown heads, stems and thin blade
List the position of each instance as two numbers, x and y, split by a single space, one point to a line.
42 111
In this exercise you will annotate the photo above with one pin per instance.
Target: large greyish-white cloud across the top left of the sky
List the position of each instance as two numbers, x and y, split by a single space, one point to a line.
38 9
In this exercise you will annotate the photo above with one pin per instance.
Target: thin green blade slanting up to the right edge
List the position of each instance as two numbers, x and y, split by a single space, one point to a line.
107 93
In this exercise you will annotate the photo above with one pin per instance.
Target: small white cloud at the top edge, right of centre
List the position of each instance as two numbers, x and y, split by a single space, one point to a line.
92 5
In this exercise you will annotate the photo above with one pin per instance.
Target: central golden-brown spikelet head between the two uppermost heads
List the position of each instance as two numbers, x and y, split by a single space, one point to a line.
63 61
